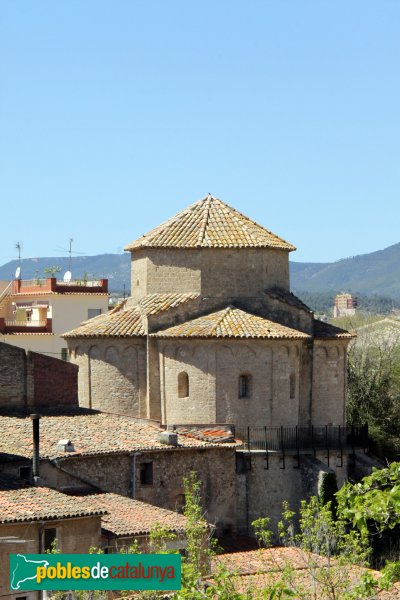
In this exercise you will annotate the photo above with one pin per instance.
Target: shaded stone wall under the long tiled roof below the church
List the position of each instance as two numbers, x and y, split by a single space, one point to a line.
215 468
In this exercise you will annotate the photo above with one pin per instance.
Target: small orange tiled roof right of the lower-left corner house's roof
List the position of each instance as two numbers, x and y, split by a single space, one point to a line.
126 516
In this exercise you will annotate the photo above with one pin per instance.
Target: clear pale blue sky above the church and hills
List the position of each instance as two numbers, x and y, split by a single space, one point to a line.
115 115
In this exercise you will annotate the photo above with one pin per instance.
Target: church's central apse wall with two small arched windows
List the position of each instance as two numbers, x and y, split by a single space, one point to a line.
214 368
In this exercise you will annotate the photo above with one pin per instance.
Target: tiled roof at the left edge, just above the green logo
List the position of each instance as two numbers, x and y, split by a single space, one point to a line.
40 503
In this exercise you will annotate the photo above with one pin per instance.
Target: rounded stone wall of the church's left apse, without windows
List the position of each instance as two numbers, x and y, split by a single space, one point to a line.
112 374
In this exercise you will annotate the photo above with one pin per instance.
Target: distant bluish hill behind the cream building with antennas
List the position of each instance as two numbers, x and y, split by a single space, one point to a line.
114 267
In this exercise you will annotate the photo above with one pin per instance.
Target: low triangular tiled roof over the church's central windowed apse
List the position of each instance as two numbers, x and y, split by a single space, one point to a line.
231 322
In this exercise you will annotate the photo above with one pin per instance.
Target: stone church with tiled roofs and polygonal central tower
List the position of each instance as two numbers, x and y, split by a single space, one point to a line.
211 332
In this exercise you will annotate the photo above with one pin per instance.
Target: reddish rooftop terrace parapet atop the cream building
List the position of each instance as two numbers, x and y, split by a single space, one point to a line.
52 284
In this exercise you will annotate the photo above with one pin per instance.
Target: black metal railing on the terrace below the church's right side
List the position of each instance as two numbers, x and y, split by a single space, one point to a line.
281 439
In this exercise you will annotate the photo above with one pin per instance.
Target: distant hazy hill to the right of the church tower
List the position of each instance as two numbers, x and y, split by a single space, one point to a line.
377 273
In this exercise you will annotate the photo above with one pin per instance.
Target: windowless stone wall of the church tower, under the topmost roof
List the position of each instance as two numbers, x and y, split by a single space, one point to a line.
212 272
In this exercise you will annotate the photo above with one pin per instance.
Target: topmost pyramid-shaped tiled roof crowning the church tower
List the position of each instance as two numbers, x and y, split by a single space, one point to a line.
210 223
